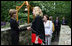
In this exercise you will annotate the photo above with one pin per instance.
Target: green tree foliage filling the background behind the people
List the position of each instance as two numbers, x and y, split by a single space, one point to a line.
51 8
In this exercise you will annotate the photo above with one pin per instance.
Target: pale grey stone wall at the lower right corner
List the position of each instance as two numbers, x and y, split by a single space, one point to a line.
65 35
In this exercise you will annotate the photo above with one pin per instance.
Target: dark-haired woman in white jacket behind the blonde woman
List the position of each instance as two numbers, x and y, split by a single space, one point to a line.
48 30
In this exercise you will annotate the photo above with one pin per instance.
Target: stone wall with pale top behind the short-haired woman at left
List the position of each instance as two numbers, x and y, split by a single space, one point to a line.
24 36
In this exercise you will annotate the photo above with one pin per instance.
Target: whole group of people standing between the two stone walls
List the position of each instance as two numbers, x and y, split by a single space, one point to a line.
42 27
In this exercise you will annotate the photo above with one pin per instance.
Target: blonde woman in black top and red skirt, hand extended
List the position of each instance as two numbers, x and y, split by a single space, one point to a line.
38 33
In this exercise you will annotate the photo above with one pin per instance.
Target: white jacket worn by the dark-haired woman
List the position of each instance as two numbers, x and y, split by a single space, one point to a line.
48 27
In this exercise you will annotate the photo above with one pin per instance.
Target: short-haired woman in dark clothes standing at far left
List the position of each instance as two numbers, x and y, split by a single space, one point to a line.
14 27
